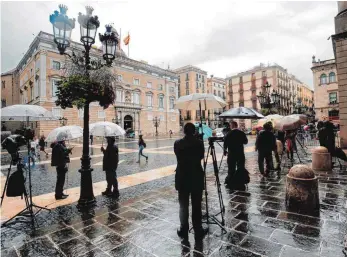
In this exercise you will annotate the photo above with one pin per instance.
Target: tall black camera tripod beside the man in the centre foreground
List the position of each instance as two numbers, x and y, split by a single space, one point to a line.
212 219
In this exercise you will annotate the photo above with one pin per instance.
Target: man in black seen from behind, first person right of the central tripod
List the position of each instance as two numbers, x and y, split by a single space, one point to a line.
233 146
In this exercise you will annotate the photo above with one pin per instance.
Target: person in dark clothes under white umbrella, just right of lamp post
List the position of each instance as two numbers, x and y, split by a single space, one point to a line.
109 165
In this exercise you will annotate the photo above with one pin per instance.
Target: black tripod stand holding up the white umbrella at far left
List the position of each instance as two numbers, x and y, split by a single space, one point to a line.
29 209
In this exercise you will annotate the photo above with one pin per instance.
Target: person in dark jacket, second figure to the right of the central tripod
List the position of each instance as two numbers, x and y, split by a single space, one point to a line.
265 144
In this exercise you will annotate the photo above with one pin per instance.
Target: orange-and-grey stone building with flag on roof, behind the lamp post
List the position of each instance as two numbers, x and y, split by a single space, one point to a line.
143 91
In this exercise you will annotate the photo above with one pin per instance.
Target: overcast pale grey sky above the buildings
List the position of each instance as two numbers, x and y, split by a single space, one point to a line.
220 36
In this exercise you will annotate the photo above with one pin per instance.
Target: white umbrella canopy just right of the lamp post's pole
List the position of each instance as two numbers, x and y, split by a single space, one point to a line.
106 129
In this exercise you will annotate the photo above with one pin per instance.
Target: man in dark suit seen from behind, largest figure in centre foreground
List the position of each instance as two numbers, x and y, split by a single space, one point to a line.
189 180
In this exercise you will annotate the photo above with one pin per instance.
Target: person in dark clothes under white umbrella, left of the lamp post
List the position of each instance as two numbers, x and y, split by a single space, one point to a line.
60 159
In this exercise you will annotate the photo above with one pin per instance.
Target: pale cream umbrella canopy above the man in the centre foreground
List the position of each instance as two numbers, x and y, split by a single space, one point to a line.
200 101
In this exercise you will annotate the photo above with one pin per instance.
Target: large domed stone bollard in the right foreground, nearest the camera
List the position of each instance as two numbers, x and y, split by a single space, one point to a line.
302 190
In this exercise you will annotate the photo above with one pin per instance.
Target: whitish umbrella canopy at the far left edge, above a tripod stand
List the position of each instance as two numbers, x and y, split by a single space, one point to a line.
23 112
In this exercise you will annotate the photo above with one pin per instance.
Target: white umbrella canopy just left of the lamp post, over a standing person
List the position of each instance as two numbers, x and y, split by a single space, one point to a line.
65 133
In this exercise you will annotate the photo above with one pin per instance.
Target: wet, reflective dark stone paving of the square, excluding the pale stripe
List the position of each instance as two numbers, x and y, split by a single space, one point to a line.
144 221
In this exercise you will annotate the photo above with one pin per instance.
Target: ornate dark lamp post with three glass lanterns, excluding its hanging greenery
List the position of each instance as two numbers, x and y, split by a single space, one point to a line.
62 28
